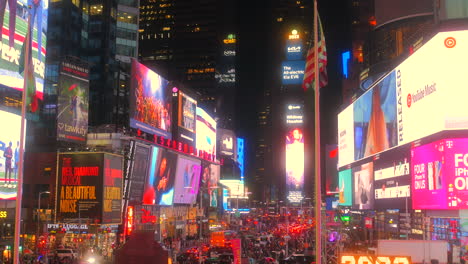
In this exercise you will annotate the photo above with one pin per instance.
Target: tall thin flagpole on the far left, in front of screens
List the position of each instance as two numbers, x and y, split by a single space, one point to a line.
19 195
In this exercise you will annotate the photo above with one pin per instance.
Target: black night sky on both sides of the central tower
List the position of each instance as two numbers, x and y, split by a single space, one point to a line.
254 49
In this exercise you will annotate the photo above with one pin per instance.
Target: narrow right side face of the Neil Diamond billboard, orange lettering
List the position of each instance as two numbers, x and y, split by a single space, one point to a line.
112 193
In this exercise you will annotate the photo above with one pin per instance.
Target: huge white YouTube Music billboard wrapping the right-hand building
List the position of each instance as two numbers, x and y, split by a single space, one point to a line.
394 109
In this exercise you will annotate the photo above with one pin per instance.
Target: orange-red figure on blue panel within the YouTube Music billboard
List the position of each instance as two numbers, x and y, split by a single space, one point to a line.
375 123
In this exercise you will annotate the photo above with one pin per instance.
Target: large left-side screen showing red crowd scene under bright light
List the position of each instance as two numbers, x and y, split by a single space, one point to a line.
150 101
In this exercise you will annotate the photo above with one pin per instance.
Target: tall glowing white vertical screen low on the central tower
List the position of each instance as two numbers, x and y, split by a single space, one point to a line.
294 165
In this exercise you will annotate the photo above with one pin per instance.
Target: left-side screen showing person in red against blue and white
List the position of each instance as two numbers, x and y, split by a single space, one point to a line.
165 178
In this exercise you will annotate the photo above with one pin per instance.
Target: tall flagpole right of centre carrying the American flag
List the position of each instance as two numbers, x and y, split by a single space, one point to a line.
318 190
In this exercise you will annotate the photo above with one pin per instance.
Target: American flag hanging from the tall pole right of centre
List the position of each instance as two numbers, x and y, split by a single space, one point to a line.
309 73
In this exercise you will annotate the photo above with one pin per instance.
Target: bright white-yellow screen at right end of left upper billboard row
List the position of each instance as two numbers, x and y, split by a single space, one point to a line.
206 133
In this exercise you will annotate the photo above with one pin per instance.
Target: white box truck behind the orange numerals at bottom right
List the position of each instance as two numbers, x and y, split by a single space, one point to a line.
420 251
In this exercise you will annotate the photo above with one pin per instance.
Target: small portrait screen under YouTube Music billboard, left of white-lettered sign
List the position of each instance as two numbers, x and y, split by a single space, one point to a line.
363 176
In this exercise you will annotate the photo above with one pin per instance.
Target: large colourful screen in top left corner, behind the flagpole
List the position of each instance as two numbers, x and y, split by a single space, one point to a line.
14 17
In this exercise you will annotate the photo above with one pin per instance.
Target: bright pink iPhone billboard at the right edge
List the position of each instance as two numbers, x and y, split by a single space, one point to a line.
440 174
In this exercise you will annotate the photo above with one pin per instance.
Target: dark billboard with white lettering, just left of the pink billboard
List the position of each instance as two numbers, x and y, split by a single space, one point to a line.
392 179
